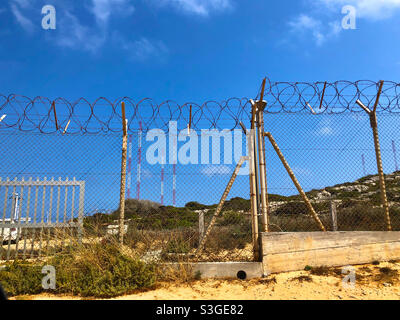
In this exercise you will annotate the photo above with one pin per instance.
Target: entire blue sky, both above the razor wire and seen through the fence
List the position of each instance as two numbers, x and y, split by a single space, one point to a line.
192 50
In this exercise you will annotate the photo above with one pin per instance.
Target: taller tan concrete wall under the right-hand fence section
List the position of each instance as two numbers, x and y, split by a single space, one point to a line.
293 251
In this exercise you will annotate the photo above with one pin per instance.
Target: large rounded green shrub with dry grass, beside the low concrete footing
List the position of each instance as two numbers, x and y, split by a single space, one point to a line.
106 273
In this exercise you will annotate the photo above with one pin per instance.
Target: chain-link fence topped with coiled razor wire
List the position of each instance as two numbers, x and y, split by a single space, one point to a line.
61 187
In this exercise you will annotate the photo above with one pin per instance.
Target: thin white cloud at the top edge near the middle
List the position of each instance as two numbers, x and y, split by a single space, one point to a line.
198 7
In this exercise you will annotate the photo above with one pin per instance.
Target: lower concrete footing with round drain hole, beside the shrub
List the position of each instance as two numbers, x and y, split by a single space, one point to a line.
220 270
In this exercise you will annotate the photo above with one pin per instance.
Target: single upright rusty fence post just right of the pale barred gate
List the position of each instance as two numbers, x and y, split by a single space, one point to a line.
123 178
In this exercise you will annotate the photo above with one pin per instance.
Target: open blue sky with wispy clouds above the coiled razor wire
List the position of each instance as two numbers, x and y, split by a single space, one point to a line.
191 49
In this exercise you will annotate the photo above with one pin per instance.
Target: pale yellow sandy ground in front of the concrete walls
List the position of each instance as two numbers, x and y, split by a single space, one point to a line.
373 282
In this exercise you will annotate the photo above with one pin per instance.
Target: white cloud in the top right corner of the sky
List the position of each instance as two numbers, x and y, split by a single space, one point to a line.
368 9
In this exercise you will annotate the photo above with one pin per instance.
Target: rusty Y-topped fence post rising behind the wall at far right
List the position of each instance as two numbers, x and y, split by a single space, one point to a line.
374 126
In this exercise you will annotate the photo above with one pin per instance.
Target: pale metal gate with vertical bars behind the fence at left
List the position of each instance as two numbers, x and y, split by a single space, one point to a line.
39 217
